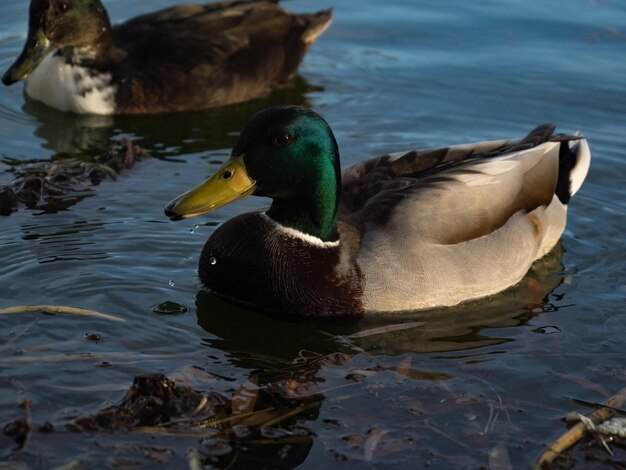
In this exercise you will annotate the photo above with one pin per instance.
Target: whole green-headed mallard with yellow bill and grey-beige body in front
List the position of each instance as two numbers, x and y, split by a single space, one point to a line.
404 231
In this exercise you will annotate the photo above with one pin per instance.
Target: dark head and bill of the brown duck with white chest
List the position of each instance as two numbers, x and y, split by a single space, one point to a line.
58 24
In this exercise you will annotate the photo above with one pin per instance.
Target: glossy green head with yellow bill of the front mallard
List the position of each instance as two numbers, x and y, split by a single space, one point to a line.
287 153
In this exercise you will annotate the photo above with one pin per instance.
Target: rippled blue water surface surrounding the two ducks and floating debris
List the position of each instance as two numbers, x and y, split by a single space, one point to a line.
495 375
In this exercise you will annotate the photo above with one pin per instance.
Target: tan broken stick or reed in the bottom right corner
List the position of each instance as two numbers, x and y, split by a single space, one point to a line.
576 433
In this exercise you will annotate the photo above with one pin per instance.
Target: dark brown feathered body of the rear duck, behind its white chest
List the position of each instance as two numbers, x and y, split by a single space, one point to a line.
196 56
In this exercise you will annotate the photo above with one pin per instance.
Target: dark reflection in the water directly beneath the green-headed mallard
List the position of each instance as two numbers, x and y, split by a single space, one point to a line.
251 337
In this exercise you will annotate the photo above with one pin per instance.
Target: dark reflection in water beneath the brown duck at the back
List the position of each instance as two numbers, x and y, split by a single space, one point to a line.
68 134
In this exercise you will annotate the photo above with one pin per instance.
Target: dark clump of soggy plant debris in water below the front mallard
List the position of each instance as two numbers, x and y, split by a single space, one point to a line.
156 406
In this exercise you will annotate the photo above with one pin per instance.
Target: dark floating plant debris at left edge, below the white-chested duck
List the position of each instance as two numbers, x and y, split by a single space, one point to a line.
58 184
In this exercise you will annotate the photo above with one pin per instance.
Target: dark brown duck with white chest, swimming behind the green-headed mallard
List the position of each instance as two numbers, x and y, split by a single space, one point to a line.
187 57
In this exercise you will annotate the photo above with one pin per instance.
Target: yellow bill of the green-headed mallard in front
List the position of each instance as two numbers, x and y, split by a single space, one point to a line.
229 183
